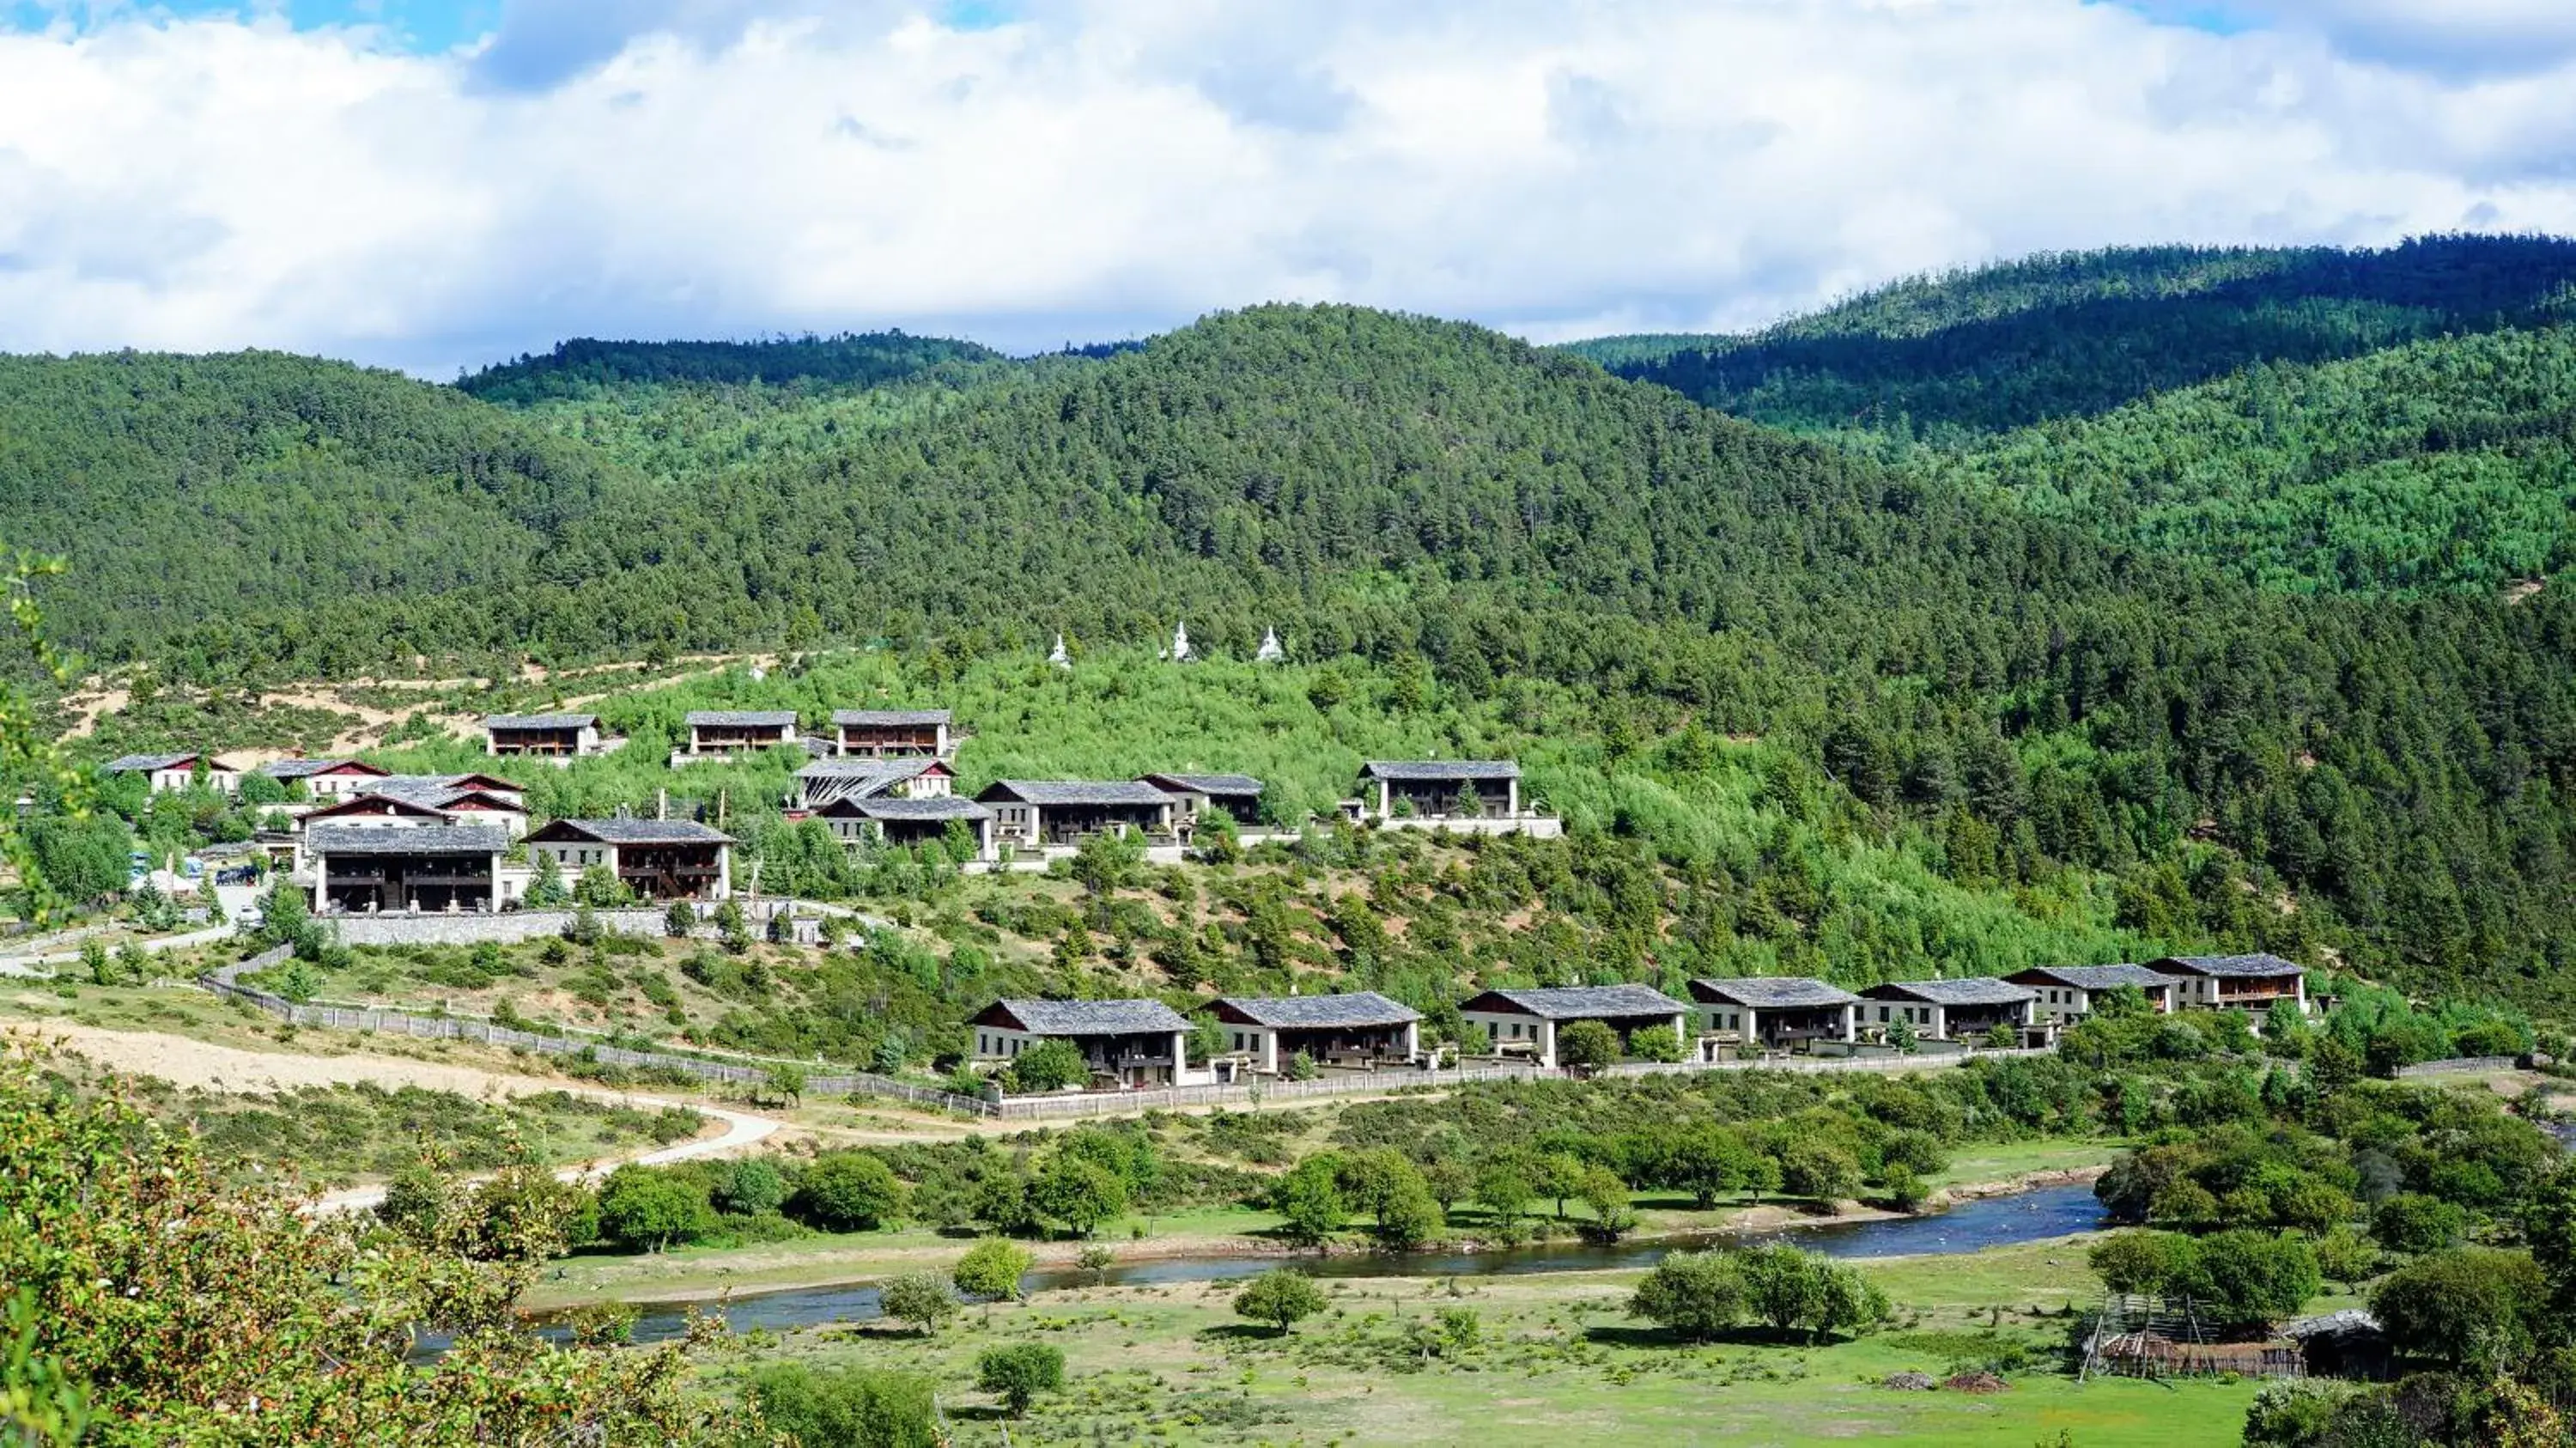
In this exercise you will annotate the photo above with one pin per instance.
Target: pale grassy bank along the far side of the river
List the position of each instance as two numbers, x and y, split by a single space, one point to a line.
1215 1233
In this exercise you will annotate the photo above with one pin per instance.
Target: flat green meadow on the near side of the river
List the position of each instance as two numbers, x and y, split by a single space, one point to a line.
1560 1364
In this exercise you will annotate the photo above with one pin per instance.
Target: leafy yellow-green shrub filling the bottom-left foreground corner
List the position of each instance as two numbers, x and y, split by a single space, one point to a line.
158 1305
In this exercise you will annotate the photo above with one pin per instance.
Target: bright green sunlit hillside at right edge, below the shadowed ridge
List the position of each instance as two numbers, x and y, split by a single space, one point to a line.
2425 468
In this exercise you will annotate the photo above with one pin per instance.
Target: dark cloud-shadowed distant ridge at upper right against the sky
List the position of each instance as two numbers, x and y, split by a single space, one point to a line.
1956 357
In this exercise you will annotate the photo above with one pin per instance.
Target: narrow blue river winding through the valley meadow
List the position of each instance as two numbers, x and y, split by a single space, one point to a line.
1969 1228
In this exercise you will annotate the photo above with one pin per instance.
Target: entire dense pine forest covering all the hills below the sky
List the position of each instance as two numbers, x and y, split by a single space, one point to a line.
2191 596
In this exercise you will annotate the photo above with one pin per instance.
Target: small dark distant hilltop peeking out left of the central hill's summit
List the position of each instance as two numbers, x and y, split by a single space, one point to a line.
589 367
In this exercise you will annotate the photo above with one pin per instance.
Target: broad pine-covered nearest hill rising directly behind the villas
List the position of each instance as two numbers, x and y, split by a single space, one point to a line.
2057 712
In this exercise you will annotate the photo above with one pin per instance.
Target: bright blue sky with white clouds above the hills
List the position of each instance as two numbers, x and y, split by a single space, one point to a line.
439 184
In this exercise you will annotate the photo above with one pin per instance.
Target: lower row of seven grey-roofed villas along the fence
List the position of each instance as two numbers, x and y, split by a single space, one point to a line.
1145 1042
